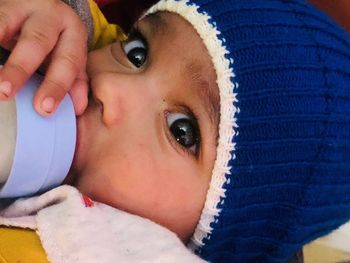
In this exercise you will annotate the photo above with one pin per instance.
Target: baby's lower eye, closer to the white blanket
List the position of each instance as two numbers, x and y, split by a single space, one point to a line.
185 130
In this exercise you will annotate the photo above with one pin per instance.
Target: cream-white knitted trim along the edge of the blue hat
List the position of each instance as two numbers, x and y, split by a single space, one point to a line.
217 51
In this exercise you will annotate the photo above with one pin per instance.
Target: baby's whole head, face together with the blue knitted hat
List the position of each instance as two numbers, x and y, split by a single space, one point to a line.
225 122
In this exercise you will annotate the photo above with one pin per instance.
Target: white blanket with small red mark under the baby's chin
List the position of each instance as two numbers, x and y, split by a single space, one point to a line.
72 228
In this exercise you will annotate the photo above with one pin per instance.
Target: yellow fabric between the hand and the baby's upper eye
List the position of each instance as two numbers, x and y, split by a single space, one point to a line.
104 33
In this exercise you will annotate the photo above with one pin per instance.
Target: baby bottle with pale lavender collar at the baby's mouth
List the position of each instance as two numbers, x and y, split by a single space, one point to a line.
36 152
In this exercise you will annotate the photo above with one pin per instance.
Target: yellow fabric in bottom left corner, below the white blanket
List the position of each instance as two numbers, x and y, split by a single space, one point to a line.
20 245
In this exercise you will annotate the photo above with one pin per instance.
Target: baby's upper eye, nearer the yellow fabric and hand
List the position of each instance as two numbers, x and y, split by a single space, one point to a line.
135 48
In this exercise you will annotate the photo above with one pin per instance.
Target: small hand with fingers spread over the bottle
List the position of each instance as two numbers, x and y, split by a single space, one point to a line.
47 31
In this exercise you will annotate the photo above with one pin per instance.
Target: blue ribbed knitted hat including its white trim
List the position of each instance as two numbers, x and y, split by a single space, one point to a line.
282 173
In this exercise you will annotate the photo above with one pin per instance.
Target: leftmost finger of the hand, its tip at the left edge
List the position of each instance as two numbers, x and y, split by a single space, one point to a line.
34 43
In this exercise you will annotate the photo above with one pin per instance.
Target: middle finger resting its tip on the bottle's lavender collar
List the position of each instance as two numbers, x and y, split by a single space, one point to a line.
68 60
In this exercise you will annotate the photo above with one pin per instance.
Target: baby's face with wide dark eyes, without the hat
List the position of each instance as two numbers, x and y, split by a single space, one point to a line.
147 142
